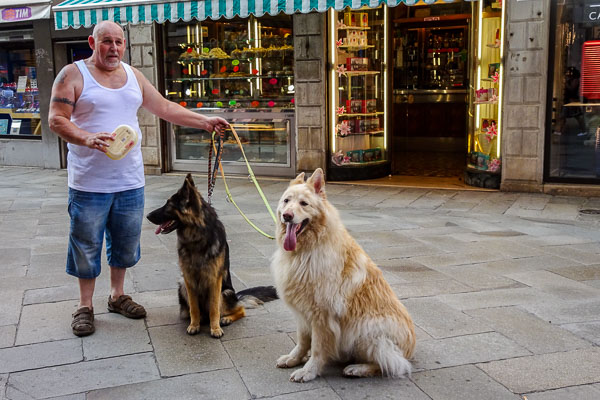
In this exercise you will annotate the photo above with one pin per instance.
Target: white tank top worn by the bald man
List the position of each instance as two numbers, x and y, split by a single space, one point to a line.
101 109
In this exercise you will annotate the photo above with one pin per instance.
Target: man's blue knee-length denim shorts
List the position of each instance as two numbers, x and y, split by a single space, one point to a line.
119 216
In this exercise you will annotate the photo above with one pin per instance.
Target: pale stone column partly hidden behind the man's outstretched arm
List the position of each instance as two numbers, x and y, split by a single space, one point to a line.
143 48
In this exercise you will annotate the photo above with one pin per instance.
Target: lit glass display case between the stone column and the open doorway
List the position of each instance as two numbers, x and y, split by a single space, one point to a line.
358 93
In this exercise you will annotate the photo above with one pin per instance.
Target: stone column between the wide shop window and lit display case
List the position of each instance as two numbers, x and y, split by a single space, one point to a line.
310 80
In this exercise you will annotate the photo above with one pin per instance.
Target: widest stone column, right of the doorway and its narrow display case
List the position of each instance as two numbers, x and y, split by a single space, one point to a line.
524 102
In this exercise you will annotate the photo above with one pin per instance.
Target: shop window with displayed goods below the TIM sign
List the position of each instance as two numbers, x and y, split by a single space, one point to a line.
19 100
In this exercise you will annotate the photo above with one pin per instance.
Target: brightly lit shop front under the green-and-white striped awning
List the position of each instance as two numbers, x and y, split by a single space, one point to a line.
322 90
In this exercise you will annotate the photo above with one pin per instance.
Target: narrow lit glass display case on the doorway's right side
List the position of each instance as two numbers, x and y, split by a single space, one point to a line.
483 160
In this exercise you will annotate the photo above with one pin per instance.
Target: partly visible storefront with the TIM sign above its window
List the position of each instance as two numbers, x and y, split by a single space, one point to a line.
25 83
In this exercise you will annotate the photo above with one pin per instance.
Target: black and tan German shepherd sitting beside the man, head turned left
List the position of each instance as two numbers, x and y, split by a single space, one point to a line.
204 261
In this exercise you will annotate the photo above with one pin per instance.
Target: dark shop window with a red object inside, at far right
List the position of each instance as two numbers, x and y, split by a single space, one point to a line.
573 145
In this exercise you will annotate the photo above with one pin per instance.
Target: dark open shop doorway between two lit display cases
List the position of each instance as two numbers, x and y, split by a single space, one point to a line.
431 76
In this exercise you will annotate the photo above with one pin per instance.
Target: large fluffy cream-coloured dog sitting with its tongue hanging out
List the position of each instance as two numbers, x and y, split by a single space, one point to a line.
344 308
